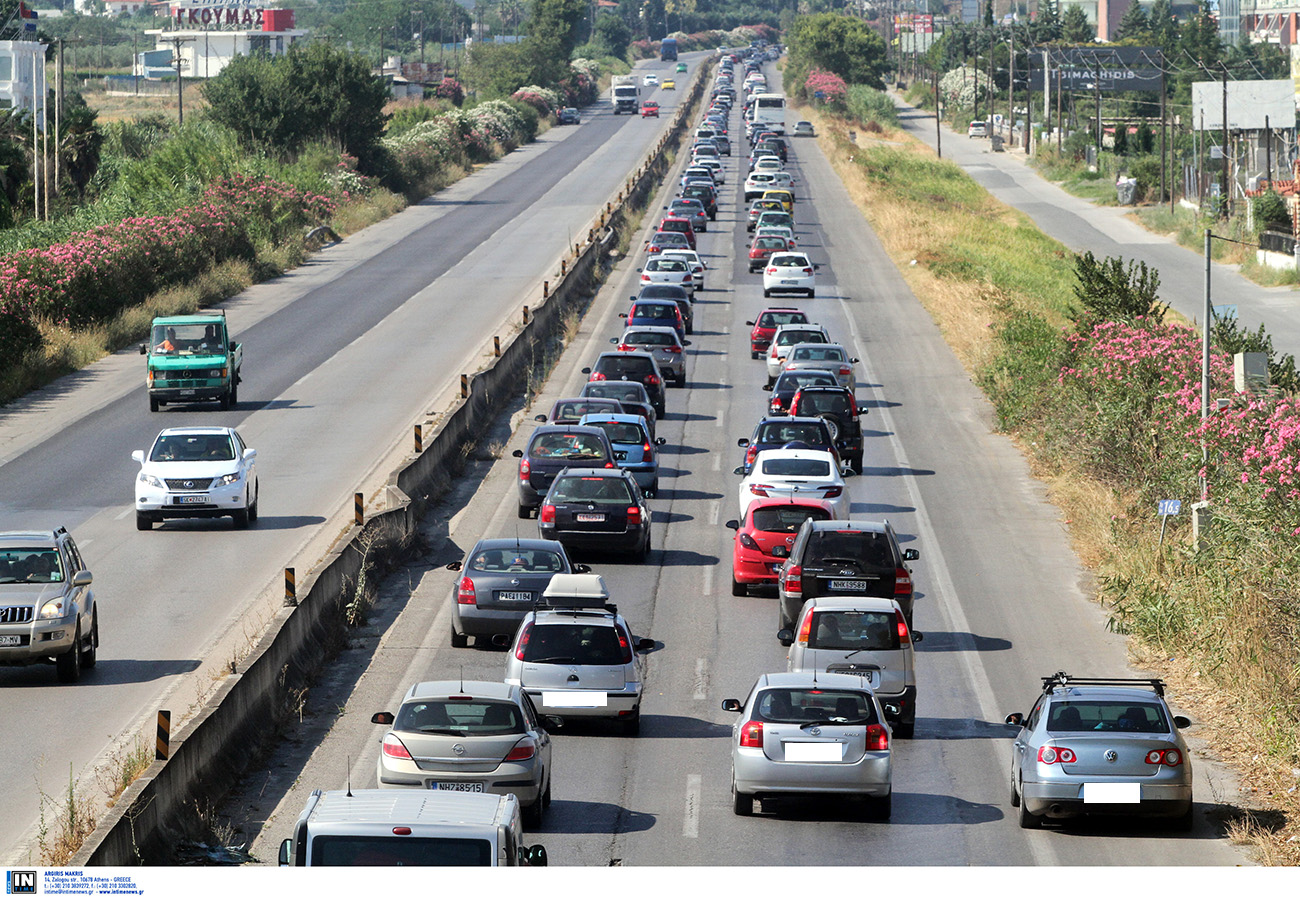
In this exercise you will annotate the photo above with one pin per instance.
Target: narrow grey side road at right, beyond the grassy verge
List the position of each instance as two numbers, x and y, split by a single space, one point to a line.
1110 232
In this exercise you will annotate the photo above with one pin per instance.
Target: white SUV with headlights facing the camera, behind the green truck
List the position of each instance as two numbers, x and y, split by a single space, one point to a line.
197 473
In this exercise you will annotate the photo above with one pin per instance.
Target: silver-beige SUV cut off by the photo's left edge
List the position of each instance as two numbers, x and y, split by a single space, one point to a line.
47 609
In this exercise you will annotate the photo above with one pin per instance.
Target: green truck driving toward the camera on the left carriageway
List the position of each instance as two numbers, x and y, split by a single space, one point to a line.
193 359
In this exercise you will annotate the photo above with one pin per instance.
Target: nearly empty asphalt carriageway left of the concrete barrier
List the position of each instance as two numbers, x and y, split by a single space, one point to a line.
341 358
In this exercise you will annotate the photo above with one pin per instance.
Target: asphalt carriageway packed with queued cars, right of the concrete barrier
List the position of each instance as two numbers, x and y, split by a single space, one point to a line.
1002 601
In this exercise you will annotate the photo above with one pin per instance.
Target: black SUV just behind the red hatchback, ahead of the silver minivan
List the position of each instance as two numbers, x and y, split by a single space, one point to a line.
844 558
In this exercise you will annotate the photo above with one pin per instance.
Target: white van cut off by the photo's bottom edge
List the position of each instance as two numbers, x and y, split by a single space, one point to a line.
380 827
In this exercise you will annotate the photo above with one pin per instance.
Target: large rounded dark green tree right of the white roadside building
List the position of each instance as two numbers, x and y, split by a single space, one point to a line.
315 93
